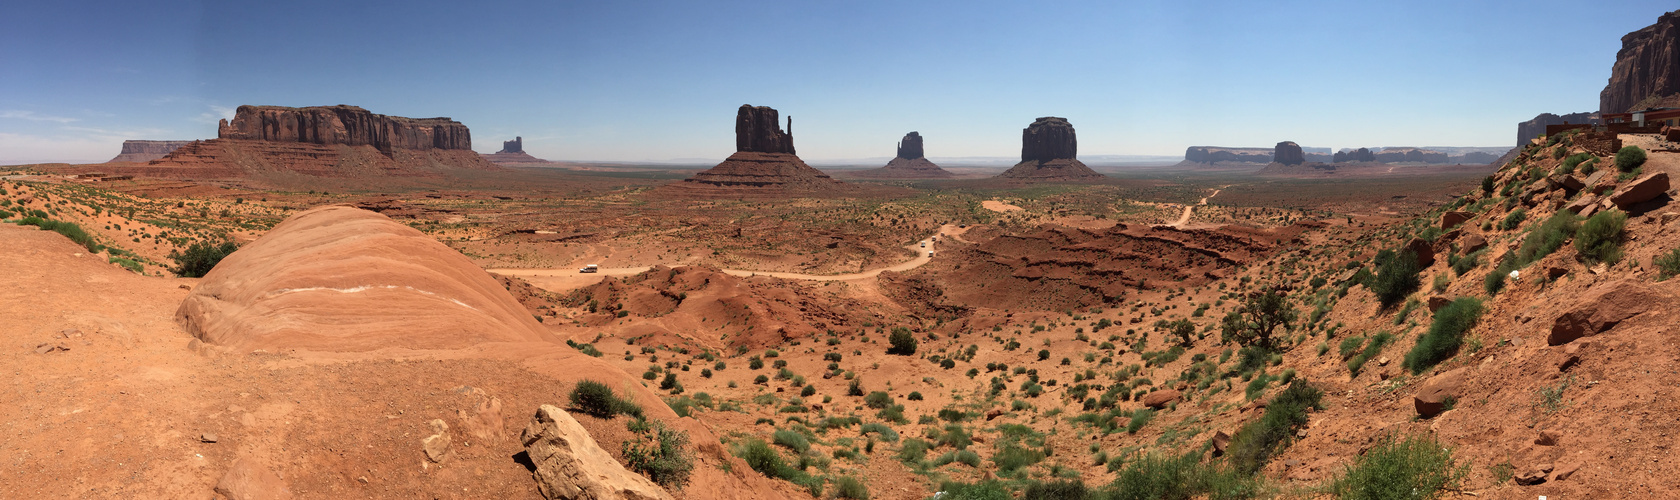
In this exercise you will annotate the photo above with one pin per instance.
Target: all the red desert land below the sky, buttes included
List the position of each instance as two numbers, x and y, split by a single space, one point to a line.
333 303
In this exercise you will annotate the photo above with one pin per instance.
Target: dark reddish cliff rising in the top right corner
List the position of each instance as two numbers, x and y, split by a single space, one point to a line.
1647 68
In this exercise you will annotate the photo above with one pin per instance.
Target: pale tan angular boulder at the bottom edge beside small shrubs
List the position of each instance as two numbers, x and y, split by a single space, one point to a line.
572 466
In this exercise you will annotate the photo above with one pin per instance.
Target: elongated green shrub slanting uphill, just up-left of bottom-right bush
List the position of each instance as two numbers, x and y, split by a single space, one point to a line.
1257 442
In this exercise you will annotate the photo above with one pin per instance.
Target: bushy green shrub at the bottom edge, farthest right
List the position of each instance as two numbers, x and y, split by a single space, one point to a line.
1414 467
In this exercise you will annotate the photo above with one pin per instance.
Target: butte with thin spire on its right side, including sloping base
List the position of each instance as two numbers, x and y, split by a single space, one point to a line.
764 160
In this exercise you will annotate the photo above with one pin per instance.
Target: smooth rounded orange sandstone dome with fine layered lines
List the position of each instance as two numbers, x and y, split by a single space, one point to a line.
347 279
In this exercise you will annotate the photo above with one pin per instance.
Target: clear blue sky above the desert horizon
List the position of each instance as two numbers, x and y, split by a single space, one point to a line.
639 81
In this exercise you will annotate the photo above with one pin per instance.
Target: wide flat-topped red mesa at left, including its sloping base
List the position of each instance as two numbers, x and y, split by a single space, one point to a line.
328 142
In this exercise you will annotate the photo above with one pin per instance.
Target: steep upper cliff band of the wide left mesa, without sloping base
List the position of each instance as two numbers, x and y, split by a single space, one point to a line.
345 125
